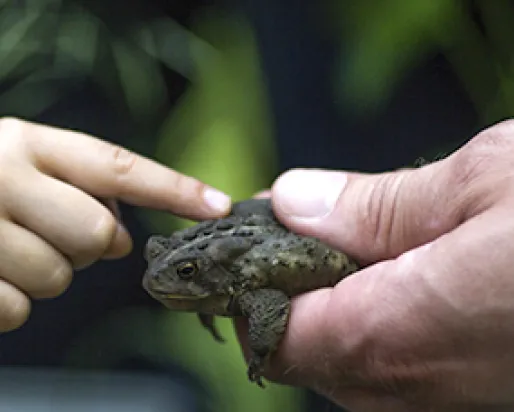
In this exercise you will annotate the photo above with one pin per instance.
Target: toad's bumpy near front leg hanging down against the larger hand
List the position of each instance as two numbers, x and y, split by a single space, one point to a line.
267 311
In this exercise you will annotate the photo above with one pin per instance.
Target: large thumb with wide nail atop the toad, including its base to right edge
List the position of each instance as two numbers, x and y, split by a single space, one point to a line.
378 216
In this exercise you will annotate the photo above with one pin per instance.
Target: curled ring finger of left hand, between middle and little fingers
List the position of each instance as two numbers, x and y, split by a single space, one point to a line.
31 264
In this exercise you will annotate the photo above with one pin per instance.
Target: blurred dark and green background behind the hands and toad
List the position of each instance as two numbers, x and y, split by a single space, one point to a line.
233 93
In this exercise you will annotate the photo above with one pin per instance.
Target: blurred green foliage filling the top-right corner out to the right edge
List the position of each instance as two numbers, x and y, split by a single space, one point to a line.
385 41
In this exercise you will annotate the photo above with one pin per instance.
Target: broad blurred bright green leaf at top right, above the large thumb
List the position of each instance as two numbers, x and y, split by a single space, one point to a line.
386 40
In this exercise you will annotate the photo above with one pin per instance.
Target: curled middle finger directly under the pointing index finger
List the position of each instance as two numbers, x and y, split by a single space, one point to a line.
74 223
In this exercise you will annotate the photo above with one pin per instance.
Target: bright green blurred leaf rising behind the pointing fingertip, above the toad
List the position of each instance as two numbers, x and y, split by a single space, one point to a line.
221 131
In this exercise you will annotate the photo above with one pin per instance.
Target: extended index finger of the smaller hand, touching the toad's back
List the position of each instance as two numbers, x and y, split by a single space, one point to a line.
110 171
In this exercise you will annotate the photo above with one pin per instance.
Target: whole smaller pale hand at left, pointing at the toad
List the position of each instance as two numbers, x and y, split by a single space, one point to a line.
51 220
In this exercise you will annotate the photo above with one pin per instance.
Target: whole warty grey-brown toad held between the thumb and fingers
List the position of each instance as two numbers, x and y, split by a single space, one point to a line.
246 264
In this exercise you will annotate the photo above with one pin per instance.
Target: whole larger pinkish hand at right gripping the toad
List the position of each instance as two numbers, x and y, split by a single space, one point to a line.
428 324
